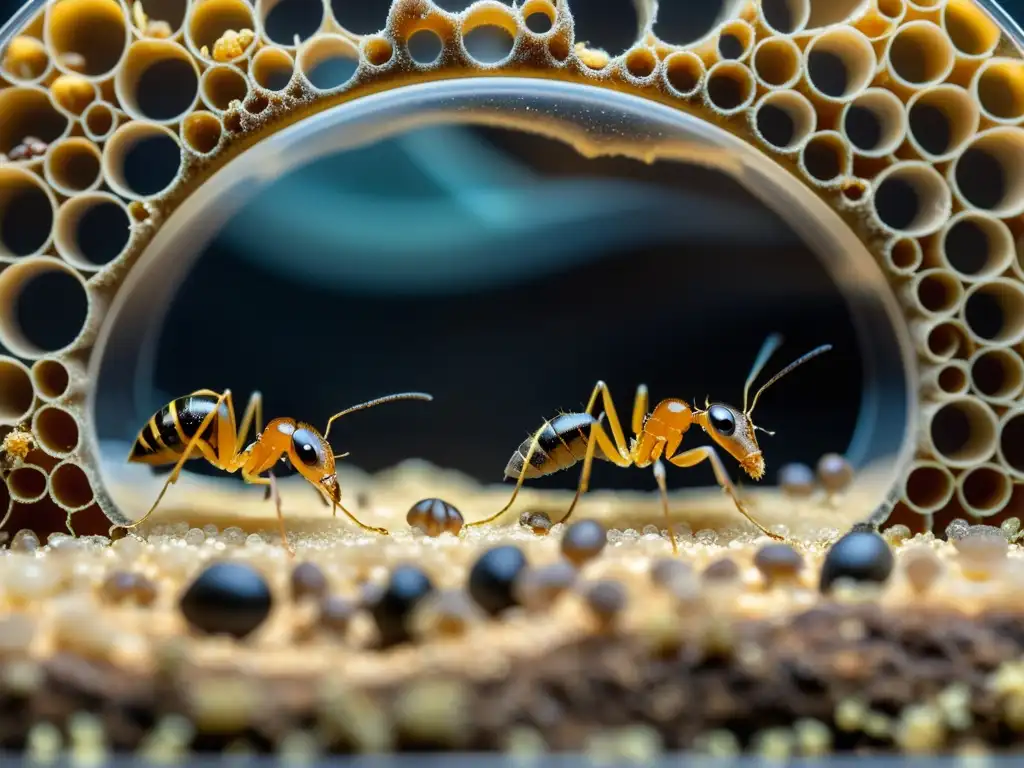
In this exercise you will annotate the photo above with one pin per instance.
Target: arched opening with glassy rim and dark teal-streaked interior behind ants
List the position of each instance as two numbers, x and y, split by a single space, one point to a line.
504 264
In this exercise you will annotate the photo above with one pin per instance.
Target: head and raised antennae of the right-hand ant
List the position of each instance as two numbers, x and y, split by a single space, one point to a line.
734 430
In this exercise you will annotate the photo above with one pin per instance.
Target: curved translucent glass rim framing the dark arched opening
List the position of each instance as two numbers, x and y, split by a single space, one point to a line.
590 118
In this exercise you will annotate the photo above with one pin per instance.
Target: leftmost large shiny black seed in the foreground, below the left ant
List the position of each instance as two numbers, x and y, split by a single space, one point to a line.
228 599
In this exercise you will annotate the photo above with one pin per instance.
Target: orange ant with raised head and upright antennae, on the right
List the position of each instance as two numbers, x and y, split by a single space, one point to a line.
570 439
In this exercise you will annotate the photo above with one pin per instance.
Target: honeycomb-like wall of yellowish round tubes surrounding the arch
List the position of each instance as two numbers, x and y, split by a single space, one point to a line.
906 117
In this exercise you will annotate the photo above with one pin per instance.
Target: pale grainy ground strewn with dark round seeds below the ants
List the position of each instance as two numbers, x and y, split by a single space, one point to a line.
580 638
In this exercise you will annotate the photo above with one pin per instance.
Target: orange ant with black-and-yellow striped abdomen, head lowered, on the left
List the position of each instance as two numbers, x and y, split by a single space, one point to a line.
202 425
